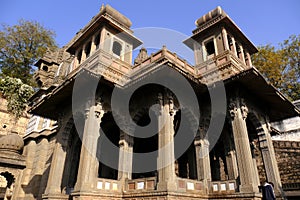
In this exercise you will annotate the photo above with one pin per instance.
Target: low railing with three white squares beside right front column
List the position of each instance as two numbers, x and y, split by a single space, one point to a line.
223 186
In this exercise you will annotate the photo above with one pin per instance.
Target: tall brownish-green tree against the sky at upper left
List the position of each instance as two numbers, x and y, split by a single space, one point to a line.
21 46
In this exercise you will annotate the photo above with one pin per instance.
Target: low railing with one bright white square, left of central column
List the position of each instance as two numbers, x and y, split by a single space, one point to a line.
148 184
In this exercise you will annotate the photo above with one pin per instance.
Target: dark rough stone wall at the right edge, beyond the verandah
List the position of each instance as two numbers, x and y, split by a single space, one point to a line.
288 159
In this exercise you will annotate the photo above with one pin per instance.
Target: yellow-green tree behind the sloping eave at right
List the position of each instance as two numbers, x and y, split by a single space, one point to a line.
281 66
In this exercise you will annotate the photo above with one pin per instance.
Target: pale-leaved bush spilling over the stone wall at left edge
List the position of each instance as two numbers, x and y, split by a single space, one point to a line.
16 93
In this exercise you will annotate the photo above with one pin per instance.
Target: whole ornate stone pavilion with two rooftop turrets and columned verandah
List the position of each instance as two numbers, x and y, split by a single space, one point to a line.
96 152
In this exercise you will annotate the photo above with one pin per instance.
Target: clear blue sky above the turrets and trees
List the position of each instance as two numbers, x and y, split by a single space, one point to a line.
263 21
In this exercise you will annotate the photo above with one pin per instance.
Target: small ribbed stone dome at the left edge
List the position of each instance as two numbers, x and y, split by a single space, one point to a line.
11 142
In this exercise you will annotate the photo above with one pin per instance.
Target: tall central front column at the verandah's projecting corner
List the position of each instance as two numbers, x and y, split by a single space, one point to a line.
166 154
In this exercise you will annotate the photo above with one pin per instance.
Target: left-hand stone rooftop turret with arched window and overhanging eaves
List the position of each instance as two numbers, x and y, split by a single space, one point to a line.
109 33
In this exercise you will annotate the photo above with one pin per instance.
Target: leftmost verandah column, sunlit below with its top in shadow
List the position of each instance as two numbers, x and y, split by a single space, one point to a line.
53 189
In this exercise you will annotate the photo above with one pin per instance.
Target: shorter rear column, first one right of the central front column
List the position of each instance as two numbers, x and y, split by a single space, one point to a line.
203 162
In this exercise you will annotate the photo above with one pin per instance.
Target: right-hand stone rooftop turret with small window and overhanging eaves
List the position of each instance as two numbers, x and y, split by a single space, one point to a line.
220 47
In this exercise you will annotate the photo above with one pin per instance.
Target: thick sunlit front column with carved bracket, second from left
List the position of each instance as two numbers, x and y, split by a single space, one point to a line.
88 164
